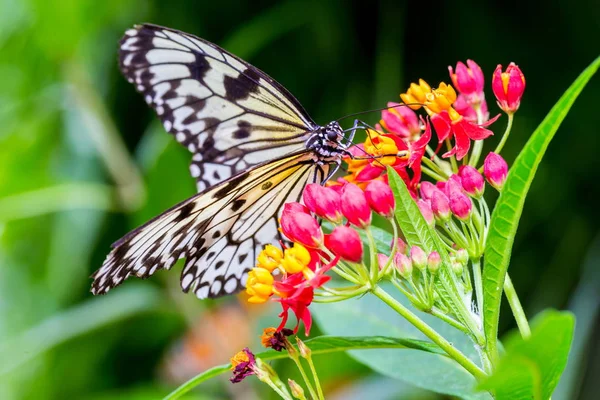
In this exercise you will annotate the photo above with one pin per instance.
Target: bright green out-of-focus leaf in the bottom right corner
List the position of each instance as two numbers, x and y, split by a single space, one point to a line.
531 368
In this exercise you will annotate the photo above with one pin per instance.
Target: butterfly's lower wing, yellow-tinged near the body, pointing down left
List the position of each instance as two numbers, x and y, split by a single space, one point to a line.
220 232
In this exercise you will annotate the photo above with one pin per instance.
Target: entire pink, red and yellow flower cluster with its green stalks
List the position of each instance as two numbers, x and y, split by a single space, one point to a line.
326 232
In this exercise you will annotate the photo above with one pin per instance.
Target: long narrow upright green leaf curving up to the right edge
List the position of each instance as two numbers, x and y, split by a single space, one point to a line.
508 209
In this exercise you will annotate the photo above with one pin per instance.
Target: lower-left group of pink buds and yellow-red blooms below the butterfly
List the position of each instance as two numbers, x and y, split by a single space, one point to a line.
291 276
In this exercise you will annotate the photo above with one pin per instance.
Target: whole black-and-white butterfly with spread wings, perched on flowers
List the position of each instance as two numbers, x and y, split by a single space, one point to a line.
254 148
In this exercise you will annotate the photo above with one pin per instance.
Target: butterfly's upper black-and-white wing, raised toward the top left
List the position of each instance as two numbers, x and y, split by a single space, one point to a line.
229 114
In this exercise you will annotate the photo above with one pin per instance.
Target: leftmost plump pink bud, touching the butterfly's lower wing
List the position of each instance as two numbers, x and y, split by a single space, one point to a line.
299 226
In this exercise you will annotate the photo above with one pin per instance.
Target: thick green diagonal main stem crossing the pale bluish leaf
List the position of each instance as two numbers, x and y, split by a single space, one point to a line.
452 351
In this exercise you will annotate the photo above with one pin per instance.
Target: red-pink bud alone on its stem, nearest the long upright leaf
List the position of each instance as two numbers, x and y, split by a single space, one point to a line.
508 87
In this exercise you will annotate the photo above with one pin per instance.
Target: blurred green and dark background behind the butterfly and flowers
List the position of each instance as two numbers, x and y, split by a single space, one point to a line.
83 160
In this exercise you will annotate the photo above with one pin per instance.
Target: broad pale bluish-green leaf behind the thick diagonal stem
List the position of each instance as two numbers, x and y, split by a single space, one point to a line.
367 316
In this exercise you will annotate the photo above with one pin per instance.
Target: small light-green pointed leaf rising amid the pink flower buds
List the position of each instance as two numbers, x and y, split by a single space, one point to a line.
418 233
